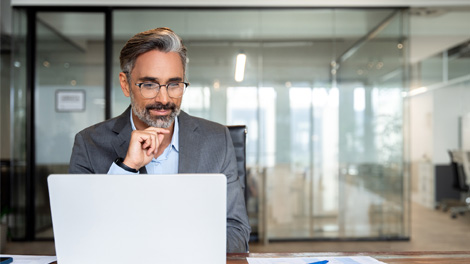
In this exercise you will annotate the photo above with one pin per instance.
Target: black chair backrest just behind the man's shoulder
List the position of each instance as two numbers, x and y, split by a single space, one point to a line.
238 134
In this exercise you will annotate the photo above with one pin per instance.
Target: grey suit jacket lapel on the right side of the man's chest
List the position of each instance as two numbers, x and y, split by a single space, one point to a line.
189 143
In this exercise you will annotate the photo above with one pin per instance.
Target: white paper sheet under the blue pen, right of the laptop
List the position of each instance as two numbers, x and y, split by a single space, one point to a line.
308 260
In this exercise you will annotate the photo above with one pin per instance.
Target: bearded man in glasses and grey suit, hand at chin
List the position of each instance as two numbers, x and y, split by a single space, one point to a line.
153 136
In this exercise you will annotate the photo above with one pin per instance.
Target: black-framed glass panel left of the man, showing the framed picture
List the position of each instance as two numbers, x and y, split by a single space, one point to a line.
57 90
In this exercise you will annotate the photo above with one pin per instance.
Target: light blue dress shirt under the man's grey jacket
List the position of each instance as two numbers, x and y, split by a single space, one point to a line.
166 163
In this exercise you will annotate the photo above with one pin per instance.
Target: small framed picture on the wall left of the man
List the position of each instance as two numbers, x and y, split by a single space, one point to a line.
70 100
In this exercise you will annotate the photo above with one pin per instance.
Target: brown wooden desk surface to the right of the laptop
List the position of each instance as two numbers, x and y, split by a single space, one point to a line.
424 257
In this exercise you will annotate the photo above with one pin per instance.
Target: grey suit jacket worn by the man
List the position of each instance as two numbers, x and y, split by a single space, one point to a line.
204 147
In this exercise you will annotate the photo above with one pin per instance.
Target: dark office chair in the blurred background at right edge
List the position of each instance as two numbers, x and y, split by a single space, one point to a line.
460 166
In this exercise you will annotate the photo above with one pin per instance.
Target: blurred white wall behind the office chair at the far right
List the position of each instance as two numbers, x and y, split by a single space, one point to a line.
434 122
